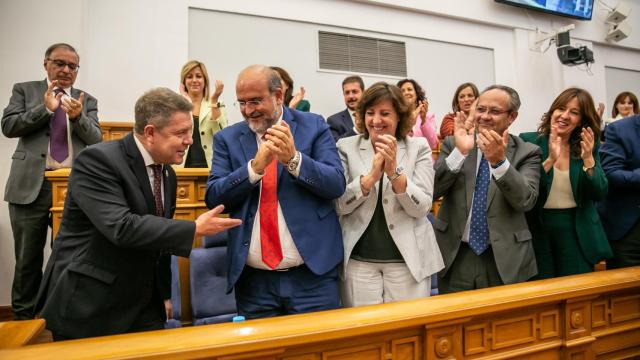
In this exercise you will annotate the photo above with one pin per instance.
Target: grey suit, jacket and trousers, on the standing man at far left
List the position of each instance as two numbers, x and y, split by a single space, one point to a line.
29 196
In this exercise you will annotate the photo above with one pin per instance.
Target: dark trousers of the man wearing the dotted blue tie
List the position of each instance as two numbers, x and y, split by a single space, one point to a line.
470 271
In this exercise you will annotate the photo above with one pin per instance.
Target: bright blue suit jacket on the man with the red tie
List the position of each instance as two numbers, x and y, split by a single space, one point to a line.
306 201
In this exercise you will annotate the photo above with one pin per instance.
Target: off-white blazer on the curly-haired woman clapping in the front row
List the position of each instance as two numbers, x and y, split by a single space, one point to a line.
406 213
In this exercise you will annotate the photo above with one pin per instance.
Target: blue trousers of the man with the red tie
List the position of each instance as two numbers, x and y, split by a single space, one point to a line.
268 293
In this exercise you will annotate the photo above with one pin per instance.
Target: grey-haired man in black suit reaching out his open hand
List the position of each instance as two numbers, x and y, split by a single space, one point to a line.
106 275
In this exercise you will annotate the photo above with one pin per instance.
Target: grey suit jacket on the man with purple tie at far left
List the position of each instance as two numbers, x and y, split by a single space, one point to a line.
27 118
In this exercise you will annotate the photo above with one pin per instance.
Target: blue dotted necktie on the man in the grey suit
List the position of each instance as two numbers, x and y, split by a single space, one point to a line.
479 230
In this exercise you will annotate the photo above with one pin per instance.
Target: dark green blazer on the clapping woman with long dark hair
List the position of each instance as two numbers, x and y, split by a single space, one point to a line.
586 190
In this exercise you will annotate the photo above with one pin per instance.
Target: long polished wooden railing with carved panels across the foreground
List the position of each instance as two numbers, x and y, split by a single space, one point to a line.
586 316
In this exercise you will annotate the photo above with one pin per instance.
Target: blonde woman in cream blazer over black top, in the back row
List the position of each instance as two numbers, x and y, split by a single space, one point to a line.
208 113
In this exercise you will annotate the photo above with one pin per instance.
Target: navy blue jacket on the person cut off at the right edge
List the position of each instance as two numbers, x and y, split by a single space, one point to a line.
620 153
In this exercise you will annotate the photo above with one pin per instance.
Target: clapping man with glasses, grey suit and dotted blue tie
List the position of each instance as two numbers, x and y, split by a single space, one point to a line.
488 180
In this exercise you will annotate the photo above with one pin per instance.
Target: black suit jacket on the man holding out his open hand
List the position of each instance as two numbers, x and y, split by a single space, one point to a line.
103 268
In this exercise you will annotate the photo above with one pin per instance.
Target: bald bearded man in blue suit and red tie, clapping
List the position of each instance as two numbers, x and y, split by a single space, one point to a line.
279 171
